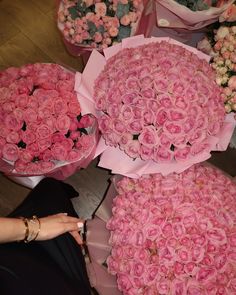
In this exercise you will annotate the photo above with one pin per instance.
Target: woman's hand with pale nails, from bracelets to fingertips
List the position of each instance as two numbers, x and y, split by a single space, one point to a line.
55 225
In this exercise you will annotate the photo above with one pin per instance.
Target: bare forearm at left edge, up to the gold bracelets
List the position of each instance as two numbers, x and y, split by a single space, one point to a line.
11 229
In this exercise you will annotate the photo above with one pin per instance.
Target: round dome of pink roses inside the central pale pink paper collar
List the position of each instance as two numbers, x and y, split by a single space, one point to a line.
159 102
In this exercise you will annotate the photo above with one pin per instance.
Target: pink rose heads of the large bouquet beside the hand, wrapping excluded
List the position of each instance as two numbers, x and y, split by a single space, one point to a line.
176 234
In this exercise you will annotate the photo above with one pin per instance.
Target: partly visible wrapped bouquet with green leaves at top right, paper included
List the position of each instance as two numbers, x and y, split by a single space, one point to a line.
189 15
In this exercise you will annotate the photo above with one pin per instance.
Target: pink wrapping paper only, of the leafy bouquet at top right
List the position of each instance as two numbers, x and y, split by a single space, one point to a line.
174 15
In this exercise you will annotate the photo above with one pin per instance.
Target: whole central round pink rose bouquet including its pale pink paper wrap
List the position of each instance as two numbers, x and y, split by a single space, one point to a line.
156 112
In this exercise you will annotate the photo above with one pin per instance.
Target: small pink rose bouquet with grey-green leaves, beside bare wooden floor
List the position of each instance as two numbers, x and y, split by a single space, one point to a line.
98 24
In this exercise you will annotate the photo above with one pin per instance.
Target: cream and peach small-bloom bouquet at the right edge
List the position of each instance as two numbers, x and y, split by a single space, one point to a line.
220 43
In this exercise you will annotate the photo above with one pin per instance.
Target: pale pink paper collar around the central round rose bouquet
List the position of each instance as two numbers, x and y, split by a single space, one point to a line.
113 158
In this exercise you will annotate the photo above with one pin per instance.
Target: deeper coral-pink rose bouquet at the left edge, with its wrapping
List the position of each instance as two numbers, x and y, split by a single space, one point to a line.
42 130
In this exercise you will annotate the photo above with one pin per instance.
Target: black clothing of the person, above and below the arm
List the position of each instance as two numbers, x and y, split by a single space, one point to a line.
49 267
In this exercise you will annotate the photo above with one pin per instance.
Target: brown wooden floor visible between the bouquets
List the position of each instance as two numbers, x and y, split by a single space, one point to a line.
28 34
